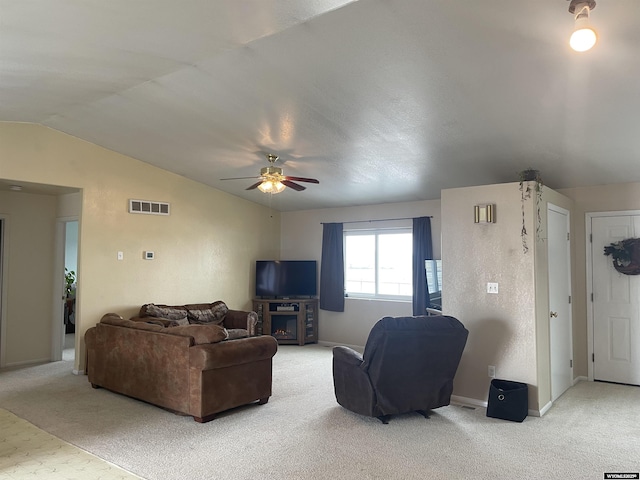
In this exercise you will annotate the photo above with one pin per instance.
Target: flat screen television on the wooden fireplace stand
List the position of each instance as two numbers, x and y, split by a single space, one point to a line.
286 278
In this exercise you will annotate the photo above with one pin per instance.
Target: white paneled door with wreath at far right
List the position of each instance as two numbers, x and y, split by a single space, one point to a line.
616 302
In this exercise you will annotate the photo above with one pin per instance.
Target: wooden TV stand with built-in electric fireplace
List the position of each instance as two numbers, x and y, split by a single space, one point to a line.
290 321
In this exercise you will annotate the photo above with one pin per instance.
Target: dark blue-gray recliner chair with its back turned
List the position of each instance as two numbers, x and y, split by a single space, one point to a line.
408 365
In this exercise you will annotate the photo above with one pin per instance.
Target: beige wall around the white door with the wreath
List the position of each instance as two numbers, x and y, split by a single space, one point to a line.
601 198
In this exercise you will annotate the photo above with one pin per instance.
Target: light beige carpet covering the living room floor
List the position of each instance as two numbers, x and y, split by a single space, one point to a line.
302 433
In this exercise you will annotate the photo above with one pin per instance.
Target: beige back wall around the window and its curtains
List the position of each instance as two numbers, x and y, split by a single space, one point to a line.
302 239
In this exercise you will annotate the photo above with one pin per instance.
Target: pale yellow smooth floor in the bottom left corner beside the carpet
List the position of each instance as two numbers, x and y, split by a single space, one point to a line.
29 452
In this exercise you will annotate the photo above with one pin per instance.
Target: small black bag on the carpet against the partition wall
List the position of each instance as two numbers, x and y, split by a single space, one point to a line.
508 400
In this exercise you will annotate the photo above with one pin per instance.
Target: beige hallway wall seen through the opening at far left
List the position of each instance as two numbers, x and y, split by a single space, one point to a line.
29 242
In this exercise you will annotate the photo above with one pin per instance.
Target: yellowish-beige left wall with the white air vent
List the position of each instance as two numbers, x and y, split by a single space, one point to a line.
205 250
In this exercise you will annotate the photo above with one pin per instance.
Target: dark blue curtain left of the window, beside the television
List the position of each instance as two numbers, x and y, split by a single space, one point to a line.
332 268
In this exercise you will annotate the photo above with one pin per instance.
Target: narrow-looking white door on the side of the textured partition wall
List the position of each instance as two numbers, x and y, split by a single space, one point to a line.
560 320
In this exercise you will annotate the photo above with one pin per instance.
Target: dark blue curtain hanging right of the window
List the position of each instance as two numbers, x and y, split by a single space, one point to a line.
422 250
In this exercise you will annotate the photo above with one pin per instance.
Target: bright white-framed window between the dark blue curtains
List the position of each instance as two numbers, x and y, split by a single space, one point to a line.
378 263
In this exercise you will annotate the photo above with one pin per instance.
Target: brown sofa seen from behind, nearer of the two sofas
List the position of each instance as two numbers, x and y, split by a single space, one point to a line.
192 369
